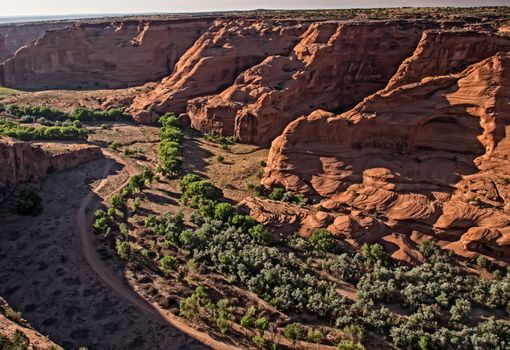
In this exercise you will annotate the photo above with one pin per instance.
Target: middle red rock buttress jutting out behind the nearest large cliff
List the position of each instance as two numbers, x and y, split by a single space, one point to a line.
333 66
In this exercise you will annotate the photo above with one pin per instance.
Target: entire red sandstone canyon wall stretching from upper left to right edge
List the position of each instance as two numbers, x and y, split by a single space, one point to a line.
287 81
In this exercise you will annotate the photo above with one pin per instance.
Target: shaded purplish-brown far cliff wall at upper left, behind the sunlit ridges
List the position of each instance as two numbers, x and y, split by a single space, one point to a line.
106 55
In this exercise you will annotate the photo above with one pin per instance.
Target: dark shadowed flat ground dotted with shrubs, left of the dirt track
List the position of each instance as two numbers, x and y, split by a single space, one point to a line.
46 276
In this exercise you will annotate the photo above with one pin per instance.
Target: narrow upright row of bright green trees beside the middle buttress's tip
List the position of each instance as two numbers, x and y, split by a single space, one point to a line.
169 150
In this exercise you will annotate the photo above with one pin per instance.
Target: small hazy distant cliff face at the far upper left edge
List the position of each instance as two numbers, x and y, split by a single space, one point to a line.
14 36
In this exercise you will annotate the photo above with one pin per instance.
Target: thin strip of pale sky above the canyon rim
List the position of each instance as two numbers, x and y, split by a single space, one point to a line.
65 7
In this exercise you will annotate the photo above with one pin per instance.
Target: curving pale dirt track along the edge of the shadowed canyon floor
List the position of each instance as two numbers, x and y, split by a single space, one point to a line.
83 225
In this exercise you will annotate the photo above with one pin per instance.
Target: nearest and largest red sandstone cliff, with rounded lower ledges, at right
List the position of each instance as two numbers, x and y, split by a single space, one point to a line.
429 158
